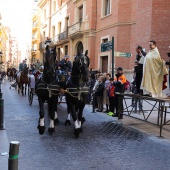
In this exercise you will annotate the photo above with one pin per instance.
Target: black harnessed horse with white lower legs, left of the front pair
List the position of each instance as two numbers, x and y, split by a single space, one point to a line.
47 89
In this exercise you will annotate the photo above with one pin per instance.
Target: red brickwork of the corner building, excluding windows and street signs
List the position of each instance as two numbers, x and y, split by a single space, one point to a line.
148 20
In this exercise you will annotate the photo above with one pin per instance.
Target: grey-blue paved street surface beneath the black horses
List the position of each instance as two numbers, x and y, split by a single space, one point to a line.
105 144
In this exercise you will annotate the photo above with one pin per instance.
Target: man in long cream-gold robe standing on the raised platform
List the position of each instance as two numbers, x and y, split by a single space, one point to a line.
154 72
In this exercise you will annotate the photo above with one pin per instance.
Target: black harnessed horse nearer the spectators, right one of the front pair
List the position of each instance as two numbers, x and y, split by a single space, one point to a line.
77 91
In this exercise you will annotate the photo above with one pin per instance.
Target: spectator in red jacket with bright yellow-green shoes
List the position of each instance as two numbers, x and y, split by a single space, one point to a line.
111 94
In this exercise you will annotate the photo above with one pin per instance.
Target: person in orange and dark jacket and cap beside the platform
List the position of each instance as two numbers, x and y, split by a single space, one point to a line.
119 83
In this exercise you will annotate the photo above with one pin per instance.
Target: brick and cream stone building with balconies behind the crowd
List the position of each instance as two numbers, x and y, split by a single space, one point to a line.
85 24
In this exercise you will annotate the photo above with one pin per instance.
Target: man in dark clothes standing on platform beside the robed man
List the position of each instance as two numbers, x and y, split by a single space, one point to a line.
139 68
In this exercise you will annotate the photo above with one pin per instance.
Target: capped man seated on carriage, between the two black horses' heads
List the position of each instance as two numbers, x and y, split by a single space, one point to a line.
65 64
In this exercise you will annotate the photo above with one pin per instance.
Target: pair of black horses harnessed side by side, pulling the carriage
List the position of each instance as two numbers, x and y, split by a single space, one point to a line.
51 84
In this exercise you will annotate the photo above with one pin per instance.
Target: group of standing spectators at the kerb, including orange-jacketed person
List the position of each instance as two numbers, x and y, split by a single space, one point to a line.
103 89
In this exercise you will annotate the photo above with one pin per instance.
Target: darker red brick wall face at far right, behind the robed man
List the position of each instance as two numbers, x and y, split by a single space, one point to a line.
161 26
